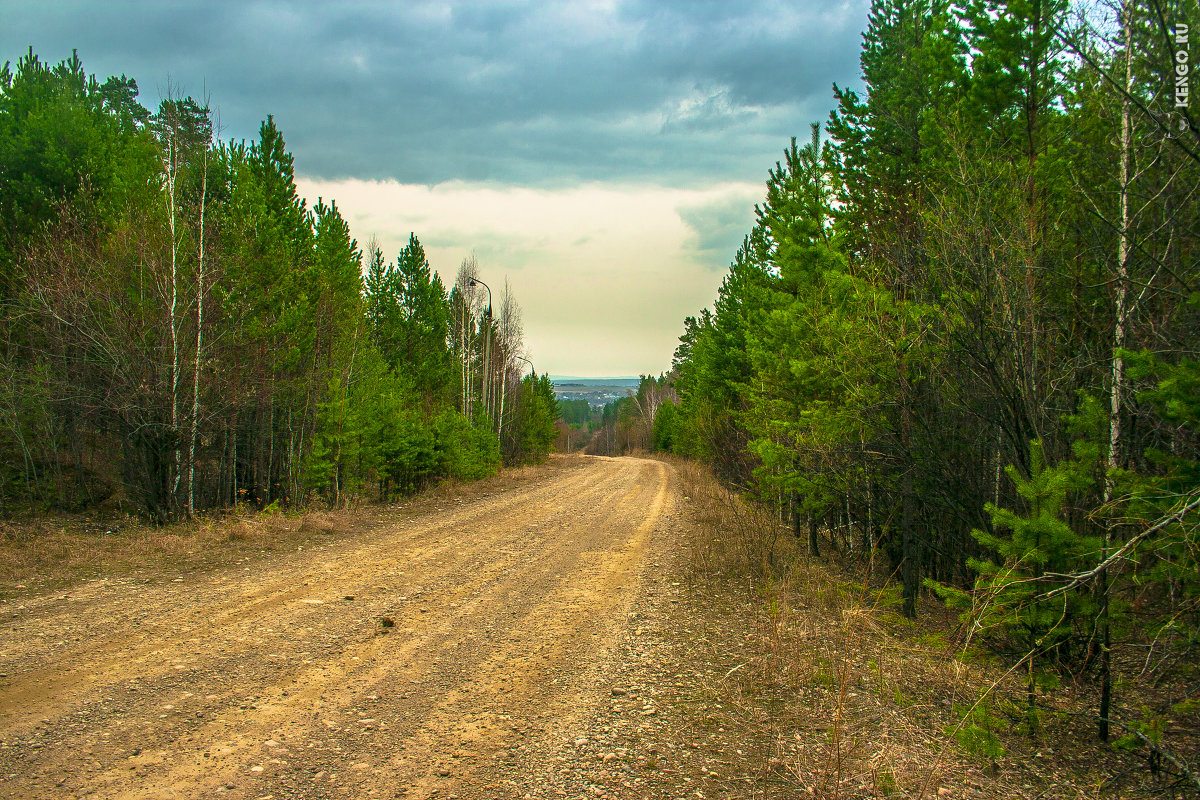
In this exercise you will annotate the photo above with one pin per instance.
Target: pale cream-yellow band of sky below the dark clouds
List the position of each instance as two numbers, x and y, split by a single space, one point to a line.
604 274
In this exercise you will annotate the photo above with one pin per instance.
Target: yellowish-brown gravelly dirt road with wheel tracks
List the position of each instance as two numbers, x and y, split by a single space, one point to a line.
415 660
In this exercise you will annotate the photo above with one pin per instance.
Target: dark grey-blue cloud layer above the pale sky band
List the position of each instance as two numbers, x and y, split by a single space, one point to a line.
527 93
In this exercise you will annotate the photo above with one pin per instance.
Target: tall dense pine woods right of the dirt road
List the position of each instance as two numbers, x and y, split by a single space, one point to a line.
962 341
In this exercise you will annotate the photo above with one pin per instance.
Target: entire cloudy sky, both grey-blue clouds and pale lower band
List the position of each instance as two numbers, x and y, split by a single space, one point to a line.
603 159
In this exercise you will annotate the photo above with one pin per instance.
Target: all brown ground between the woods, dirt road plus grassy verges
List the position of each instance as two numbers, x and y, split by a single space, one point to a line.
579 630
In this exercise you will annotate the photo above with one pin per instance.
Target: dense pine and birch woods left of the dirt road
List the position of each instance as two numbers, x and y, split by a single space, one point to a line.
182 332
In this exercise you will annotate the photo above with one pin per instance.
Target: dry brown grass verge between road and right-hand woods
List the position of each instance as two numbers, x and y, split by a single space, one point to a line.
859 702
